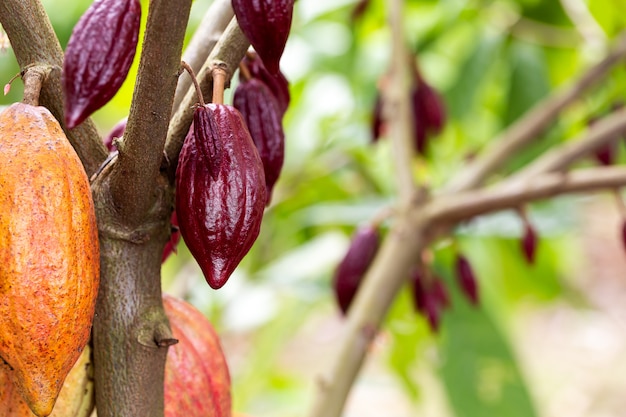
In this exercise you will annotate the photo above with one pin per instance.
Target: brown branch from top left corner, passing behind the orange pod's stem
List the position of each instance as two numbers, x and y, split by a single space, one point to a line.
34 42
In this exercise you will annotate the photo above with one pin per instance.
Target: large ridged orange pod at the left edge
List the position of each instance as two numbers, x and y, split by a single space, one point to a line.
49 256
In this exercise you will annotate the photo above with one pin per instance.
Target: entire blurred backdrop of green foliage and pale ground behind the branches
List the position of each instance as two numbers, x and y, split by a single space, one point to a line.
546 340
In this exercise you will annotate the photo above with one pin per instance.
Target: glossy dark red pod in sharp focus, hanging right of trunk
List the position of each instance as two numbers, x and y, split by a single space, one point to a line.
220 201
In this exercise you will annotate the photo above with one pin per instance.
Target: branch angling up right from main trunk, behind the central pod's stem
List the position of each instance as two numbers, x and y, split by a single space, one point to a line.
228 52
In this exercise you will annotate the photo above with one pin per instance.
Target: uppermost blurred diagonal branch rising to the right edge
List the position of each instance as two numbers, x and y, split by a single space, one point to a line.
524 130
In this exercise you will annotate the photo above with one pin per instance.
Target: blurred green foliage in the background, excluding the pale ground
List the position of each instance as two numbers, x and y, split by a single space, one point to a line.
482 58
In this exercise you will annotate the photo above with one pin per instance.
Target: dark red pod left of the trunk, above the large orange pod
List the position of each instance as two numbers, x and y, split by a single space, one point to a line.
98 56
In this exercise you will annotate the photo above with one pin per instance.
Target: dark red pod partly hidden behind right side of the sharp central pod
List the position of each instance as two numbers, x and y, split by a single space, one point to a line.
260 111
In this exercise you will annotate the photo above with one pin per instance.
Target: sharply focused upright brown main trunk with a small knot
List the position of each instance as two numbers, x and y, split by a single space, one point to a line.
133 205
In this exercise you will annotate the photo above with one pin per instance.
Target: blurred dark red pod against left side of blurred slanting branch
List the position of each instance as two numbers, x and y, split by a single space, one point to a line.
354 265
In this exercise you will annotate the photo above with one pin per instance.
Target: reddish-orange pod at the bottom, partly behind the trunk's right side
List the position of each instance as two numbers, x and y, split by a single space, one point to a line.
197 381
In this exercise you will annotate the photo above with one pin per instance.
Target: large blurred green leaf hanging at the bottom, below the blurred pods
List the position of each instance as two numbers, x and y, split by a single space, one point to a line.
479 371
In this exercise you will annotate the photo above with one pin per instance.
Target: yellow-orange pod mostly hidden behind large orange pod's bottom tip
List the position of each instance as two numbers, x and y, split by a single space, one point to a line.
75 400
